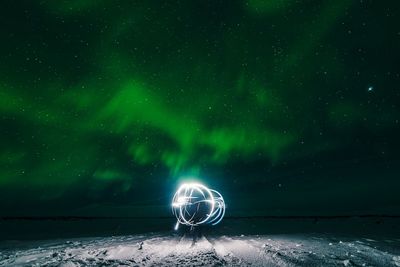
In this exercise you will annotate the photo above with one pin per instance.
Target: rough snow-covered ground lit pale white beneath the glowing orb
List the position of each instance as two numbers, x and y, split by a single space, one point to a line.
173 249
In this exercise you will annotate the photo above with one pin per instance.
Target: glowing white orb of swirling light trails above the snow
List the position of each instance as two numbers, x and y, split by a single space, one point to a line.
195 204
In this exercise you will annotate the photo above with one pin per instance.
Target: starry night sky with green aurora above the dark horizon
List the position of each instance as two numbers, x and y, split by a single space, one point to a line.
285 107
